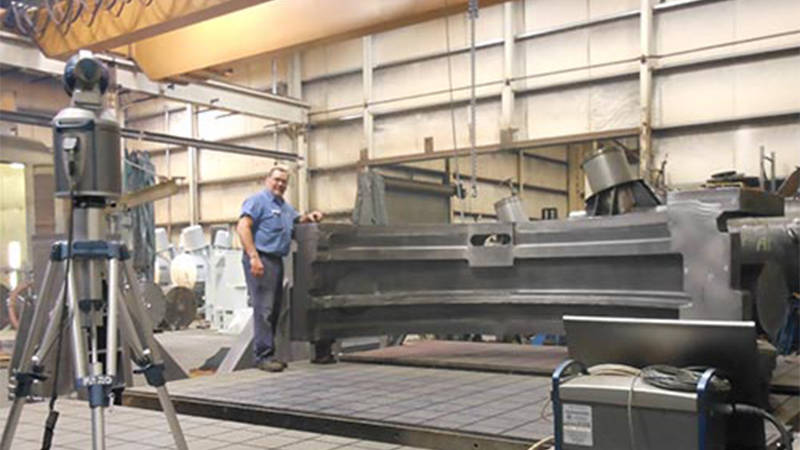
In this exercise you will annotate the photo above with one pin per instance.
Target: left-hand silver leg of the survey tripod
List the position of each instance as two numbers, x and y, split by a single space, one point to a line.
45 303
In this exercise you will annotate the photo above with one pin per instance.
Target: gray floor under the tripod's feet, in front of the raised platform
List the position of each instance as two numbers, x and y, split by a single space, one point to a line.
139 429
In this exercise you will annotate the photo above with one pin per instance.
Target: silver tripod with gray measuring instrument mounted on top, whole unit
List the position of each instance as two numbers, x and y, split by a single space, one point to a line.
90 299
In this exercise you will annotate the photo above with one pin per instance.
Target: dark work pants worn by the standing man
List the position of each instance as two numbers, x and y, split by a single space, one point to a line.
266 294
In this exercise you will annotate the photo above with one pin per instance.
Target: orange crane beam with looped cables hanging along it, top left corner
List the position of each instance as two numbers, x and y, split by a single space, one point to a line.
136 21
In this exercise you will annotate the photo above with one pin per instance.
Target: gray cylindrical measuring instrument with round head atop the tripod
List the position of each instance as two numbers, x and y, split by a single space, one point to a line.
86 136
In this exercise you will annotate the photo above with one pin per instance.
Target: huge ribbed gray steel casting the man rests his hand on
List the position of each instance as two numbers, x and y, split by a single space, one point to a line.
514 278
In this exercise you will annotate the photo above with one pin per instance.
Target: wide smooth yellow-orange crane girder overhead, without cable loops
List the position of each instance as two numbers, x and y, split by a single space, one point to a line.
263 28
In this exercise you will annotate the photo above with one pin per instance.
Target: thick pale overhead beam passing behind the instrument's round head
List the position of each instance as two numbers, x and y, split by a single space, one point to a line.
20 53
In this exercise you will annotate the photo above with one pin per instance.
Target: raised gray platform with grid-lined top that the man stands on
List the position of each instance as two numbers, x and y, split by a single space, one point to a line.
425 407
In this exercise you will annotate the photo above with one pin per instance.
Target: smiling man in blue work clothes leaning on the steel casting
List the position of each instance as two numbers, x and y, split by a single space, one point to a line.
265 230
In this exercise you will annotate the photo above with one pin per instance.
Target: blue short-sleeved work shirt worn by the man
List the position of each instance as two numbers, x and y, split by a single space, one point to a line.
273 220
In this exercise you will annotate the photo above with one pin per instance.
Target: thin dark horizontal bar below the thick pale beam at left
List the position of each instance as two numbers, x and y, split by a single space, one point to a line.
163 138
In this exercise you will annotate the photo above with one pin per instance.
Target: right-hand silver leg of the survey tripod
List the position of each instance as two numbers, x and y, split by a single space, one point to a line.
133 317
